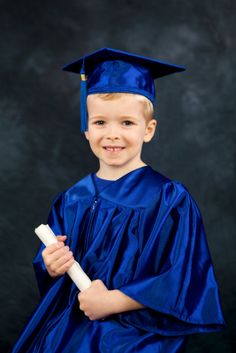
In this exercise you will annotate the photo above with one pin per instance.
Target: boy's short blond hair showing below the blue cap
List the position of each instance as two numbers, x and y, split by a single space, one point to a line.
147 104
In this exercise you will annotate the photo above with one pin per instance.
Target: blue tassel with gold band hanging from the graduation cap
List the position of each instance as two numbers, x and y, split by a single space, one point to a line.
83 101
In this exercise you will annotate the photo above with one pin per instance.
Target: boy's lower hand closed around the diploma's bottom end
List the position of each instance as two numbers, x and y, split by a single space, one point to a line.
95 301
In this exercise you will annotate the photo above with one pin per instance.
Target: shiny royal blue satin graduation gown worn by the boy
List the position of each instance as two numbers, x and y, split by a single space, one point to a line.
142 234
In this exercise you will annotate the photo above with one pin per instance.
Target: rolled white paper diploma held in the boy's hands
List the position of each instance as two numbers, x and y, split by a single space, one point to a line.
78 276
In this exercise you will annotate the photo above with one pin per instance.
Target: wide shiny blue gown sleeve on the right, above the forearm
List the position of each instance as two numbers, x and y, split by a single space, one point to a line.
175 278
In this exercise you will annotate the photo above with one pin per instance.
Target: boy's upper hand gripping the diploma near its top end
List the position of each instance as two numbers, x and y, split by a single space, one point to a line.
57 257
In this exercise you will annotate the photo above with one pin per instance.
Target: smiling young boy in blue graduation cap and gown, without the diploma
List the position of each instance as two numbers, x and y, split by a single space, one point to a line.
137 234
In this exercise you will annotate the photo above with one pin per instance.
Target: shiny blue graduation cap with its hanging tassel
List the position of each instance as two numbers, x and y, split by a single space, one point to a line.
109 70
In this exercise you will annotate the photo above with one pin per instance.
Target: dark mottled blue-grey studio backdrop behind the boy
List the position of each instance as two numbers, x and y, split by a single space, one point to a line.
42 151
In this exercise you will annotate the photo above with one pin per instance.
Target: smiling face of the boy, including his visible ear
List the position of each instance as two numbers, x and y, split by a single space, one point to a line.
116 131
